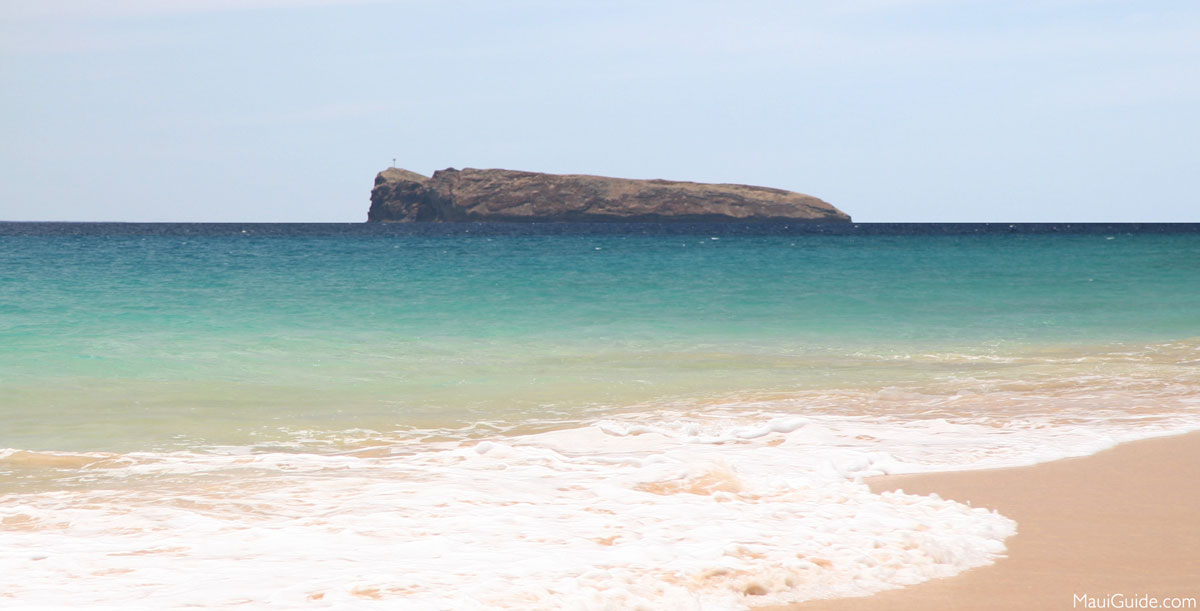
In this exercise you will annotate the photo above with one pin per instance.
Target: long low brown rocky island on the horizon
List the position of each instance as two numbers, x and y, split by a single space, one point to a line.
505 195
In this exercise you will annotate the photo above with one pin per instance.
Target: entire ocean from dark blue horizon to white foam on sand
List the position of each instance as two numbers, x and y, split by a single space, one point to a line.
555 416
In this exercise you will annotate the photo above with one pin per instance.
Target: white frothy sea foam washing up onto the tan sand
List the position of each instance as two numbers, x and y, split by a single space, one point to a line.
719 510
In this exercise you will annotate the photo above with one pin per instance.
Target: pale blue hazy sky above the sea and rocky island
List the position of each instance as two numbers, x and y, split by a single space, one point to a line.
910 111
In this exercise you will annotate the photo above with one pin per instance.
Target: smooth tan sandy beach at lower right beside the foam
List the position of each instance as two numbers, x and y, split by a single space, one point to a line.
1121 528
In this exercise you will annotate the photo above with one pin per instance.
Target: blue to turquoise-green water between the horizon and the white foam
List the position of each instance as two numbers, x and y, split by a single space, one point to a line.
127 340
